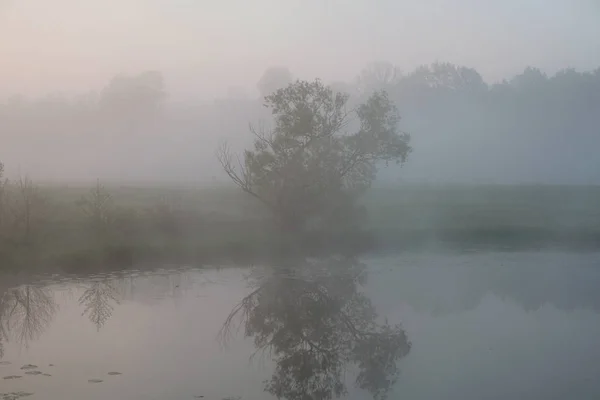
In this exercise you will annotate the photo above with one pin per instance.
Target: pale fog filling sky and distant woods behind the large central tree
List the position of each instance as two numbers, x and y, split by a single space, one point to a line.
517 102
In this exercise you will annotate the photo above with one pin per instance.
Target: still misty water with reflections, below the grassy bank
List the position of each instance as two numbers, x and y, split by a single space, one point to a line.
420 326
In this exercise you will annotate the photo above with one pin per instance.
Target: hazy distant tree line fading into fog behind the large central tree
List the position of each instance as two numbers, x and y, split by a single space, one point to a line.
465 129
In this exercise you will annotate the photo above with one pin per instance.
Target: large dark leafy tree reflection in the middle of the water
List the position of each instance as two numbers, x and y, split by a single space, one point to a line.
315 323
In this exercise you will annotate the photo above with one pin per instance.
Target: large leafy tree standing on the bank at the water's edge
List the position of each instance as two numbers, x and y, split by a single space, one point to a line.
308 170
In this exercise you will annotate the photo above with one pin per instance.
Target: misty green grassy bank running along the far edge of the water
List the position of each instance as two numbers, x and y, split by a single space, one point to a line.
69 228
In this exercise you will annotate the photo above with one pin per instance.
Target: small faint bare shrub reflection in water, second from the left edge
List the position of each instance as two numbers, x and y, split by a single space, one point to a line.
97 299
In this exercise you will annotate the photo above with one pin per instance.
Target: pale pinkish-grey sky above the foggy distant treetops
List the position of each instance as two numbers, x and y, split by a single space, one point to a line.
205 46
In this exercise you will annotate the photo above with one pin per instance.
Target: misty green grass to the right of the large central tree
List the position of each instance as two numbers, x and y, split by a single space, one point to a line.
499 216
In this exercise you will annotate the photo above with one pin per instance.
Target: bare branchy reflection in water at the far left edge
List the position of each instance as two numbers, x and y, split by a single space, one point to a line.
25 313
